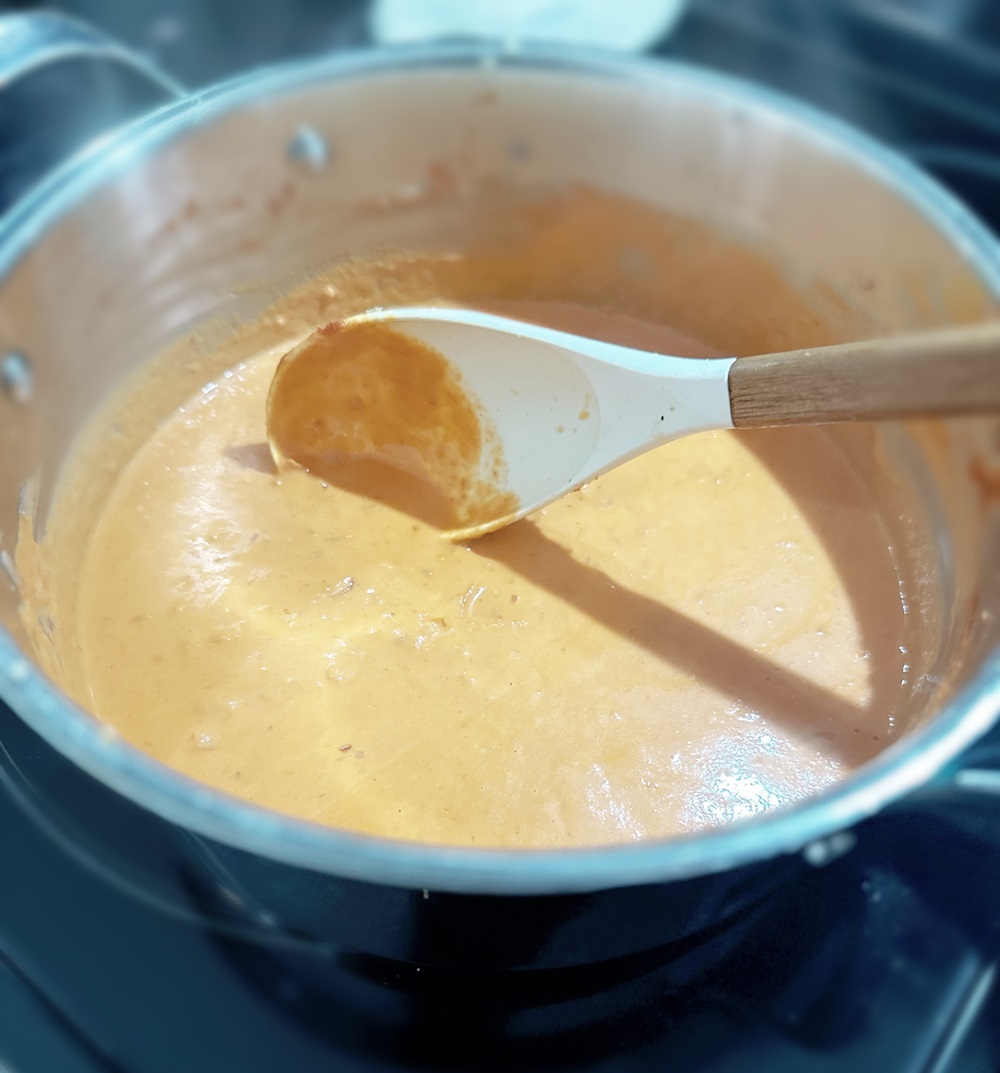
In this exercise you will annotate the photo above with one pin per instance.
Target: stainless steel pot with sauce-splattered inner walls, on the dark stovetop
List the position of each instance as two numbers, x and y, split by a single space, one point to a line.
172 224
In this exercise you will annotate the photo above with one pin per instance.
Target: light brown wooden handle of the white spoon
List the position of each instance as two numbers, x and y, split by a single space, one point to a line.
953 372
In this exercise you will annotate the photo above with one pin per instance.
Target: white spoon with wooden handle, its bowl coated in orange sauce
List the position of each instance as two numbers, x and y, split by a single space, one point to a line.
473 421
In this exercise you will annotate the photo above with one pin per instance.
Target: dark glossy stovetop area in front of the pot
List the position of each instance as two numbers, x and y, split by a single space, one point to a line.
885 960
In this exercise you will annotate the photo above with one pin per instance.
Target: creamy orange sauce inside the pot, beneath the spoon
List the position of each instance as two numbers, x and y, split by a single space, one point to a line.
713 630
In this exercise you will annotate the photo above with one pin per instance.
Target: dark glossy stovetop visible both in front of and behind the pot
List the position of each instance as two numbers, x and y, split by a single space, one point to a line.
883 961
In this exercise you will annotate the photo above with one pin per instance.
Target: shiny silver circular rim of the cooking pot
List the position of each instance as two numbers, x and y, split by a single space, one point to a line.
919 758
